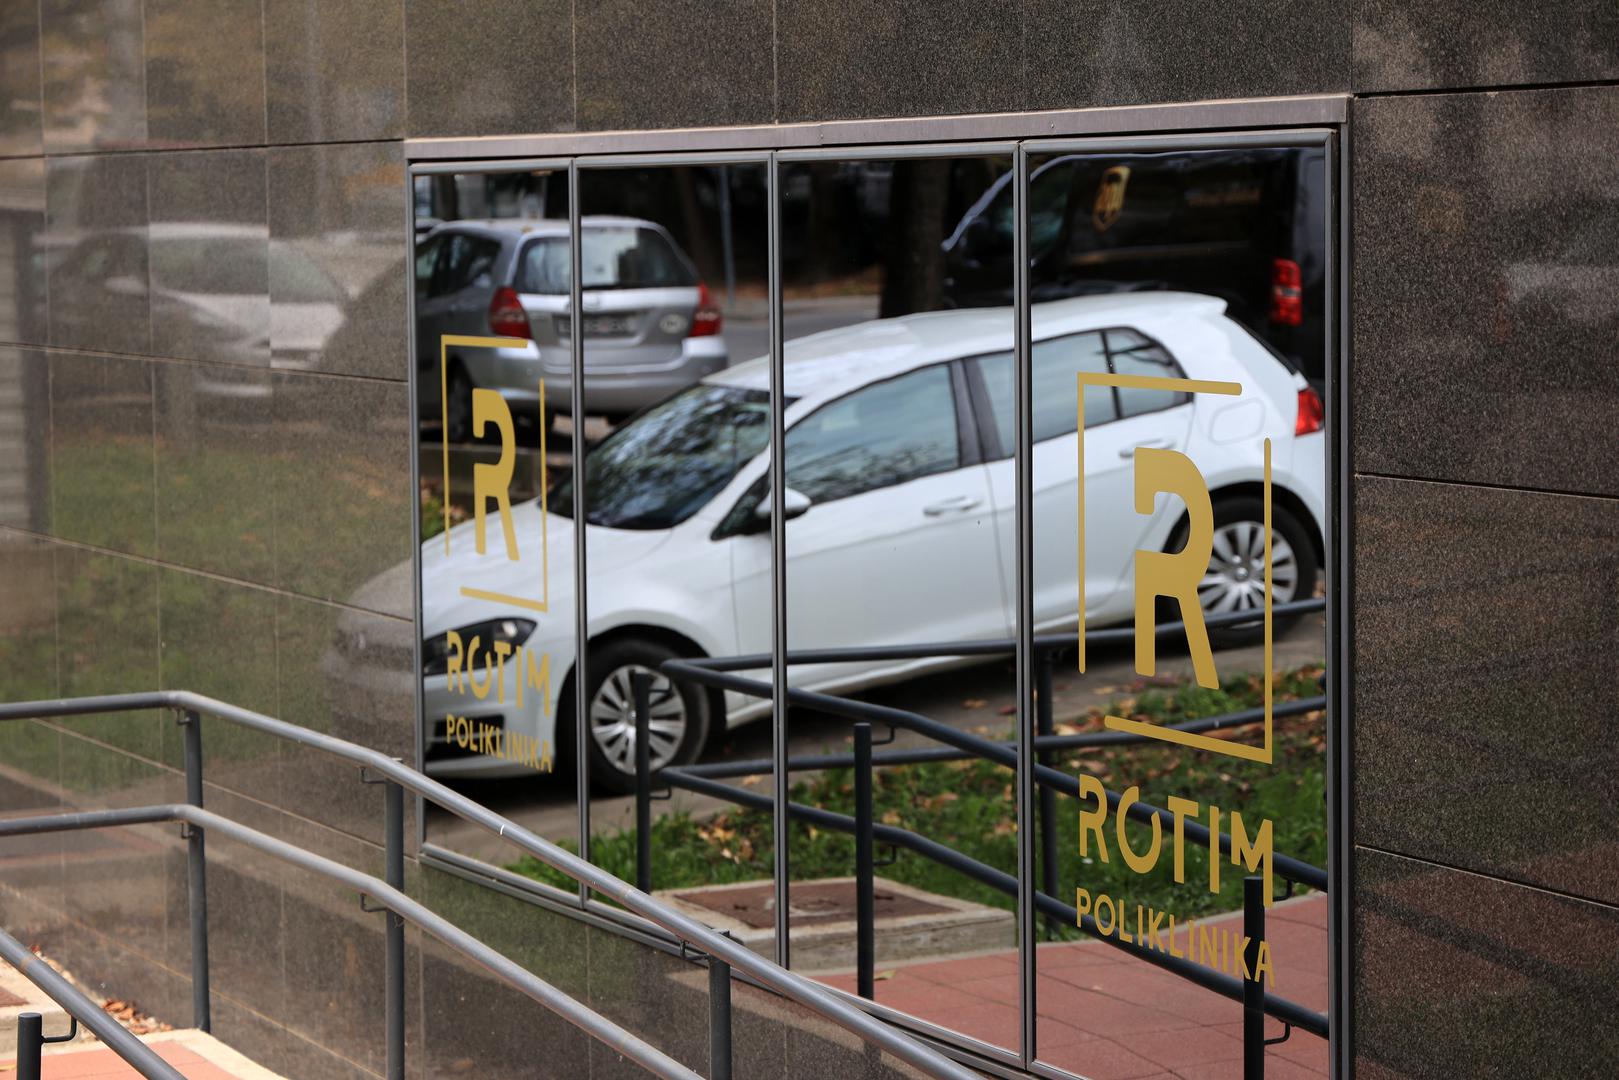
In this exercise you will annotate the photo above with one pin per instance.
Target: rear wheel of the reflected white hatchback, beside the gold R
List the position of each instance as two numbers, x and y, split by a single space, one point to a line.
1246 511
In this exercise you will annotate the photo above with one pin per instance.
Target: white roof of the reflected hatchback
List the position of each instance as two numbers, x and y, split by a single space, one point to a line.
836 362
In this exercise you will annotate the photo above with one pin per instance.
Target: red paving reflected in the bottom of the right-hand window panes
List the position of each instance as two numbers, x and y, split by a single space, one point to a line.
1108 1016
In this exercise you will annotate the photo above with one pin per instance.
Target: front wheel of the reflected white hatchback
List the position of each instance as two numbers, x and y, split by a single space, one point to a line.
613 760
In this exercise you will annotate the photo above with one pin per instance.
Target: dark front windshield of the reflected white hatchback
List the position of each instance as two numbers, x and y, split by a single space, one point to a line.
668 464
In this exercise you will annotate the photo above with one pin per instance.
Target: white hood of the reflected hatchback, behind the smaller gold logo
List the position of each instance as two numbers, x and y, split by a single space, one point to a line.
444 576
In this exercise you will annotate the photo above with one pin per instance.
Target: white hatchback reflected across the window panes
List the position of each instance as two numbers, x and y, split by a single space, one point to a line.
901 501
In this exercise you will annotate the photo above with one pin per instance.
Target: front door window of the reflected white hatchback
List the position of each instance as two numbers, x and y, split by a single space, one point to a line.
880 436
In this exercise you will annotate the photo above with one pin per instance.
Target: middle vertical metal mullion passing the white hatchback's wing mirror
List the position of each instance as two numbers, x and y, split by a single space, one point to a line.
778 558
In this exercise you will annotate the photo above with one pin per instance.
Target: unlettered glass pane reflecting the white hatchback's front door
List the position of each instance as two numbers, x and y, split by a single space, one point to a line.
899 551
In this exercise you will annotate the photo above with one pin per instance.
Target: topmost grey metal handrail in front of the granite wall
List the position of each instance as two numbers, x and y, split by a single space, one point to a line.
686 929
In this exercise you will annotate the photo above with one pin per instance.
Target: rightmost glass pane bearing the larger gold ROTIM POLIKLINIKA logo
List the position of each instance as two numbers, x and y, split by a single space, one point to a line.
1168 258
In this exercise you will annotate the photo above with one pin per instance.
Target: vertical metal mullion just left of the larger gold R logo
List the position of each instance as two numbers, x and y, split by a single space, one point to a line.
1026 602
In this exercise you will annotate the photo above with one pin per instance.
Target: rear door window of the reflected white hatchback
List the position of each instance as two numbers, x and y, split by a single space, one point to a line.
1055 388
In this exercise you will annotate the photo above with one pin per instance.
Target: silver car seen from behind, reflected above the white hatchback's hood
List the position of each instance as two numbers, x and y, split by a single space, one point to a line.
650 326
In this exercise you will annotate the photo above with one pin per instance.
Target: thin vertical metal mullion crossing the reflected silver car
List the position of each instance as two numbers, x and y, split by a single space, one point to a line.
580 614
